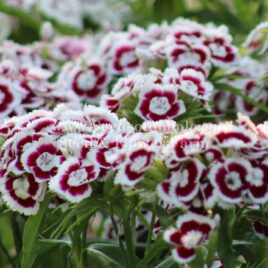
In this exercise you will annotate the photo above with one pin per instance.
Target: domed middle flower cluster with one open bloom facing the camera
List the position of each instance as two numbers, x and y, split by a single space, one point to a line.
159 93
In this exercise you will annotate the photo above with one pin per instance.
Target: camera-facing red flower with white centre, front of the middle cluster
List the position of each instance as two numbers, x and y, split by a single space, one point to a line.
160 102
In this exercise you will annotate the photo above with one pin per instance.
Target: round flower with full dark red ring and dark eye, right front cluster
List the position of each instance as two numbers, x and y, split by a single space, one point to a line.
230 178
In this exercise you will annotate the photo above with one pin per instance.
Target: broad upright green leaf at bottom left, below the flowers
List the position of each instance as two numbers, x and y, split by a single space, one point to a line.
30 235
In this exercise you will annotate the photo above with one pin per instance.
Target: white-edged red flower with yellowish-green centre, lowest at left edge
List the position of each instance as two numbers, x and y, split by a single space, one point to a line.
23 193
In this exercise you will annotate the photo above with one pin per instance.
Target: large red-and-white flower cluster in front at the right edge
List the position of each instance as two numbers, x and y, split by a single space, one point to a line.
221 164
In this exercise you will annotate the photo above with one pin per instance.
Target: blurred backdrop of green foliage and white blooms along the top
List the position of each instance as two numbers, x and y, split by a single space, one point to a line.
21 20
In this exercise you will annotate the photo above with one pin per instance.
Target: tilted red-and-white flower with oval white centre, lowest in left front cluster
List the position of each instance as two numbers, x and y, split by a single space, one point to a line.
72 182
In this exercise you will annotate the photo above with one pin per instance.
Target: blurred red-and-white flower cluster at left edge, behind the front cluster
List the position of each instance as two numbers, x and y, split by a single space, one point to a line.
25 88
